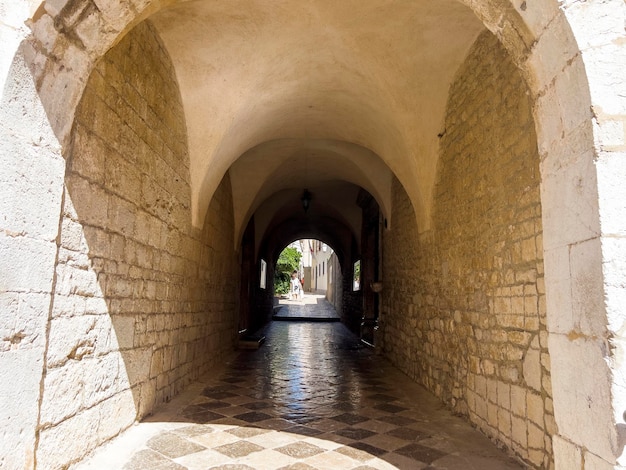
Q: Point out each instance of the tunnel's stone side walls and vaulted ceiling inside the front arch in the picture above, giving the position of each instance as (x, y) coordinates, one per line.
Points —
(194, 141)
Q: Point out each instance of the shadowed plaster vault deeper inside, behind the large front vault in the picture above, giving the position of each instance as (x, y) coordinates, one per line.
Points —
(283, 168)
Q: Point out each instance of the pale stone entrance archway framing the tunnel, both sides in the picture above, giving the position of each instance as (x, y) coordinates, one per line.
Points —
(579, 142)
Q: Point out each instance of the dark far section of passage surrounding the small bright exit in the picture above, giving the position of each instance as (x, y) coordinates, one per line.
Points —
(341, 214)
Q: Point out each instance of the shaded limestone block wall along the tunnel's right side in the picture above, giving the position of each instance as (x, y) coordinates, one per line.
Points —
(472, 288)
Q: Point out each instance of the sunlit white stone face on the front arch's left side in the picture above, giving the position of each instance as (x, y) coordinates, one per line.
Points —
(31, 188)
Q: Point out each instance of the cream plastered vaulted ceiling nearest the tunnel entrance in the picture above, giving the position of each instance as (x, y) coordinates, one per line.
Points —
(351, 90)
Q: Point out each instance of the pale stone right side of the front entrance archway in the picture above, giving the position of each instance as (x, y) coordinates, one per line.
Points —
(569, 99)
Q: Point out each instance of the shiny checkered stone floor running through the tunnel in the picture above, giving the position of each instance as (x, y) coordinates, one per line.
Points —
(311, 397)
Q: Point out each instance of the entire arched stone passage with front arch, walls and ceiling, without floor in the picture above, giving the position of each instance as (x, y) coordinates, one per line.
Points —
(156, 151)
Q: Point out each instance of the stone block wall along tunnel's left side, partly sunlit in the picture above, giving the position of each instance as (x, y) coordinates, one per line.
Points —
(143, 303)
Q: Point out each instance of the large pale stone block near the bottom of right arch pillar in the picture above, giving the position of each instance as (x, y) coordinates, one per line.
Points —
(582, 401)
